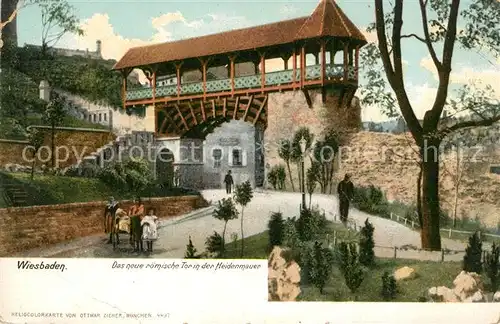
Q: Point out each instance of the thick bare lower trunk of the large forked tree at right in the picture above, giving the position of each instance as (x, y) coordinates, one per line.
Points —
(430, 235)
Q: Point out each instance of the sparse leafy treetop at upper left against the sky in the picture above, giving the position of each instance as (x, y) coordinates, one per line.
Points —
(58, 19)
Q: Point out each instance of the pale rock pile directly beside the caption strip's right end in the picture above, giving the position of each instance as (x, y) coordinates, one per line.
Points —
(283, 277)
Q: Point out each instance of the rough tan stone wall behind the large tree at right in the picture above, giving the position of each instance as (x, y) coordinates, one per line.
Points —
(388, 161)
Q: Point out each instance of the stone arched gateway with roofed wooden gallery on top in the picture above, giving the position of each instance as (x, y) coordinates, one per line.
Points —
(199, 84)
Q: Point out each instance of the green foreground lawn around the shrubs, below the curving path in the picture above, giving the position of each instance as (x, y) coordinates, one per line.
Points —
(429, 274)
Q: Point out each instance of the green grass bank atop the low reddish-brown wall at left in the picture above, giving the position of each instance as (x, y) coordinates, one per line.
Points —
(51, 189)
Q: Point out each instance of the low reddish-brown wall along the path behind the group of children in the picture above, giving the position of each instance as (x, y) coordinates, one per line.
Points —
(24, 228)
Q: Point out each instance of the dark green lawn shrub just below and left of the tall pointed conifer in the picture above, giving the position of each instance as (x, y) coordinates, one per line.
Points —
(350, 267)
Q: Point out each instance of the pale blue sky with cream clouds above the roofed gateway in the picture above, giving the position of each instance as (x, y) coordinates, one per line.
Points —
(122, 24)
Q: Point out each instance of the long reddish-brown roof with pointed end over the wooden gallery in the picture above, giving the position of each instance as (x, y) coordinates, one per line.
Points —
(327, 20)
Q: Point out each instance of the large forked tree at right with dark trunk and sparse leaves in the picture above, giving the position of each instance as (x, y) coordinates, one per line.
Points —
(443, 26)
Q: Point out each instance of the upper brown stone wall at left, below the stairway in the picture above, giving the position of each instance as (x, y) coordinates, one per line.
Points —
(78, 141)
